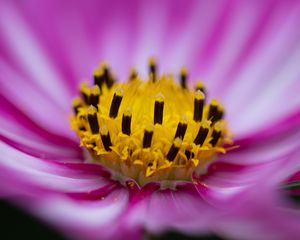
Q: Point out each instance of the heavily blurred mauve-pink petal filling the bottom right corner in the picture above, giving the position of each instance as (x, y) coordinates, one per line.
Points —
(260, 214)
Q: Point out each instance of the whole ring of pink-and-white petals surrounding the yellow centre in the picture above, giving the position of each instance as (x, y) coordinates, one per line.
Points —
(247, 54)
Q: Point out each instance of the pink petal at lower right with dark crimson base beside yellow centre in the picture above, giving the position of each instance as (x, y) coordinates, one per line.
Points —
(225, 181)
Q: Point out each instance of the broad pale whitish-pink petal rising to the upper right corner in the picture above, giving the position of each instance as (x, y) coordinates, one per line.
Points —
(265, 83)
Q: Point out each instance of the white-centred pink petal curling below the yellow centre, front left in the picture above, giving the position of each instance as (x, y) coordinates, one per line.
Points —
(83, 219)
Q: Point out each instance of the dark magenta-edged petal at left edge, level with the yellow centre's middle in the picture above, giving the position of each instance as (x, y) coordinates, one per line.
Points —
(21, 132)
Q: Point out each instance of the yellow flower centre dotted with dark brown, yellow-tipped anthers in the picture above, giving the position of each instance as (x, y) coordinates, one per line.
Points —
(149, 130)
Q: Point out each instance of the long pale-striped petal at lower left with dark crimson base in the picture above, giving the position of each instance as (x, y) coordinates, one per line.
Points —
(80, 180)
